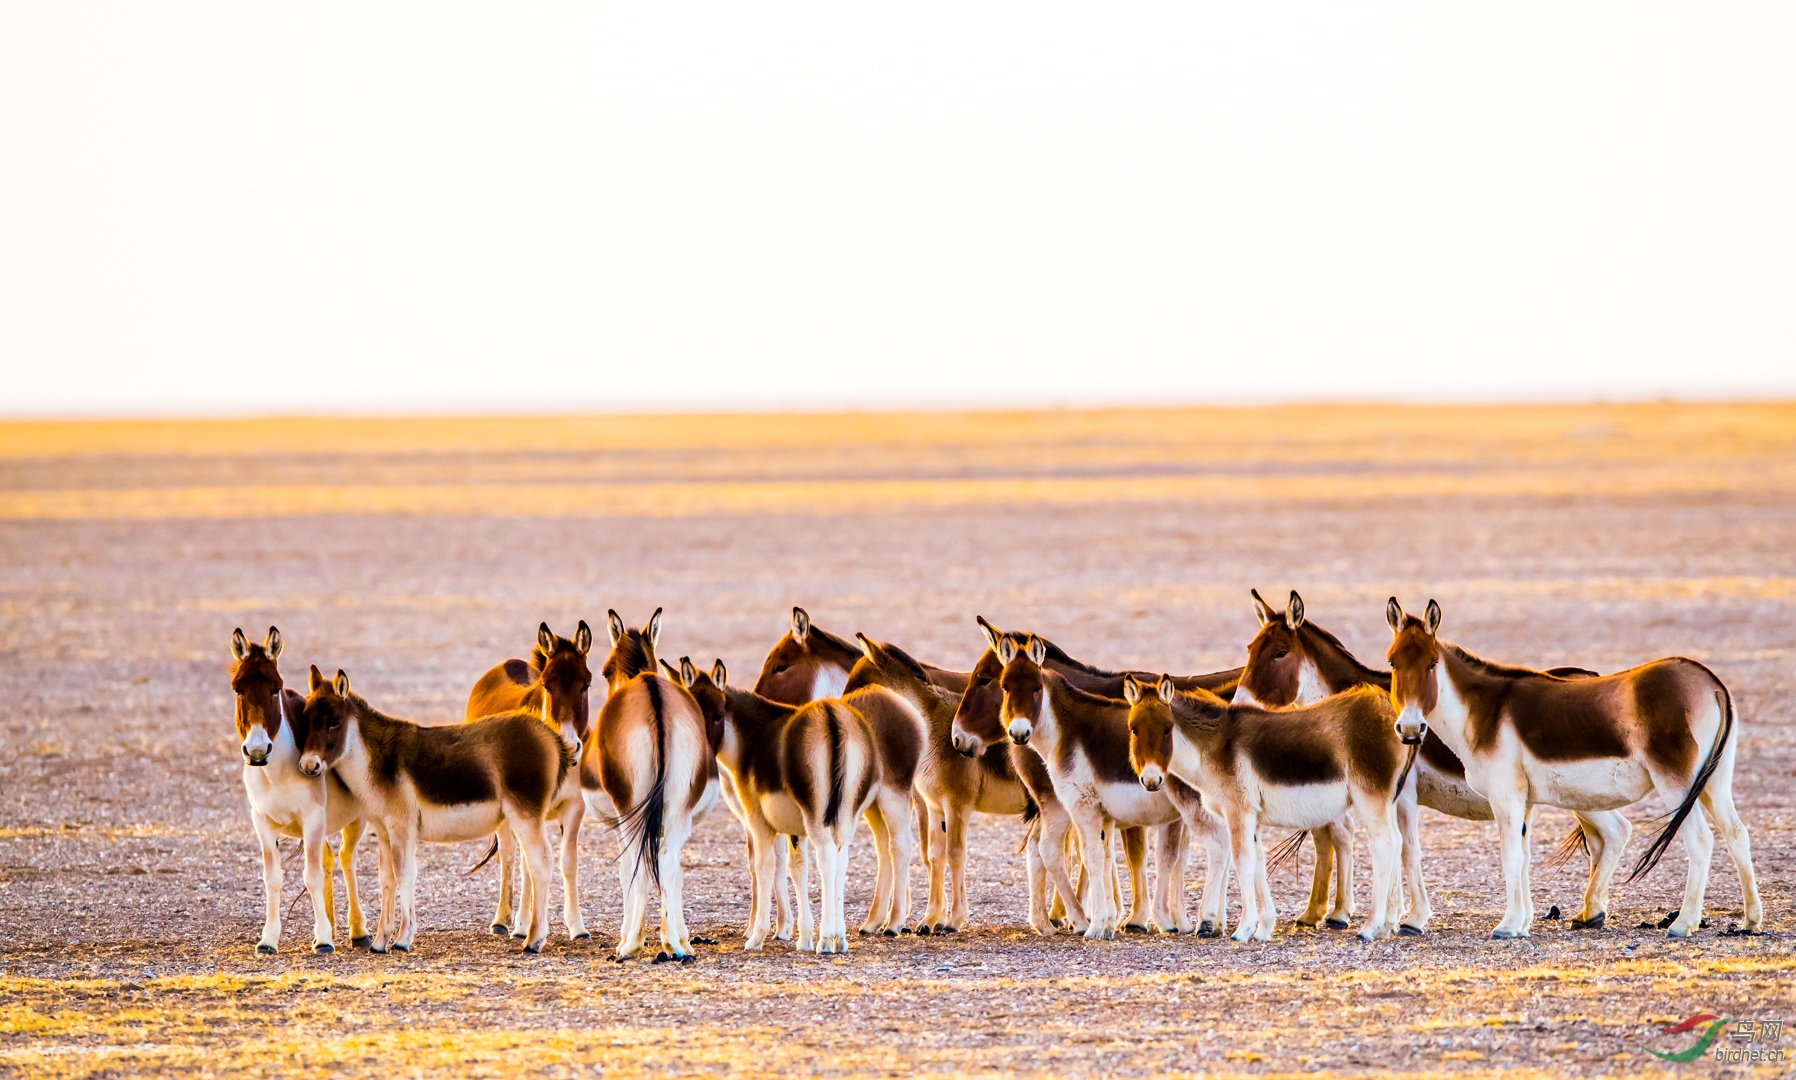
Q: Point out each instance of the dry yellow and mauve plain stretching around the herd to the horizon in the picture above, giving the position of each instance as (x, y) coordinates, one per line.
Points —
(416, 554)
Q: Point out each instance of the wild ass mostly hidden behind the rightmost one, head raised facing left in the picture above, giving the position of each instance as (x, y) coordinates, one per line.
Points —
(1296, 662)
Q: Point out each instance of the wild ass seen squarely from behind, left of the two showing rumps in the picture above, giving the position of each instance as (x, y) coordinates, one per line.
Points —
(651, 761)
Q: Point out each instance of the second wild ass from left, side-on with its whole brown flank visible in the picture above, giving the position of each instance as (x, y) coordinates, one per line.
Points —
(445, 784)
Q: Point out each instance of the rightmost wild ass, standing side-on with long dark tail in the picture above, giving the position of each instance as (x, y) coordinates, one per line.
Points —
(1585, 745)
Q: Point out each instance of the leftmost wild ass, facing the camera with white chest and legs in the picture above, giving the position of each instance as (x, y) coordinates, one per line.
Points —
(288, 802)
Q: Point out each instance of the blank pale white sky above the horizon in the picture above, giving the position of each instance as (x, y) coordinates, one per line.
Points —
(445, 208)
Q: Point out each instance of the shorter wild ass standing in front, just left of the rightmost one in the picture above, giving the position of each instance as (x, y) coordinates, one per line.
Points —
(1296, 768)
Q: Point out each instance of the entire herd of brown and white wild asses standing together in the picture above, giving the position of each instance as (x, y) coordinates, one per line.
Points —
(1305, 738)
